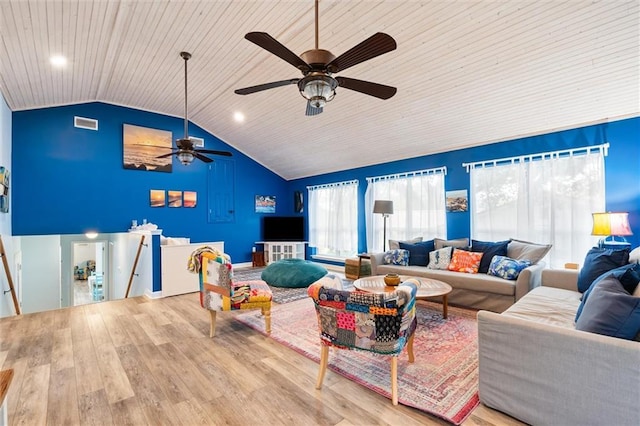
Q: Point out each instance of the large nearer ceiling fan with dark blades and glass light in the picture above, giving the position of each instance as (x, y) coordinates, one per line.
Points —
(317, 66)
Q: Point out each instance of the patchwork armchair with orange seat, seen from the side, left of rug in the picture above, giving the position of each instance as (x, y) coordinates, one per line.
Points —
(218, 291)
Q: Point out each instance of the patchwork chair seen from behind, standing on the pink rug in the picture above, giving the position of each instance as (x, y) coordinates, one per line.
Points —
(379, 323)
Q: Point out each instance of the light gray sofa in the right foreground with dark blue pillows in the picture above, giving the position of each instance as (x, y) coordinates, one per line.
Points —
(535, 366)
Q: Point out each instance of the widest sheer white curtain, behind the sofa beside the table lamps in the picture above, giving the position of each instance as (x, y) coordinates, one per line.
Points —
(545, 199)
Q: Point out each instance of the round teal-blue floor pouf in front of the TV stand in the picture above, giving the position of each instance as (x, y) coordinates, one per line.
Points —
(293, 273)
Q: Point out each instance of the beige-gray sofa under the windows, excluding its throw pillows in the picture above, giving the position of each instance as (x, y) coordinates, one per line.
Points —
(477, 291)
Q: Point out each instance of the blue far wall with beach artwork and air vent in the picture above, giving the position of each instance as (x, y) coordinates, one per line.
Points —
(67, 180)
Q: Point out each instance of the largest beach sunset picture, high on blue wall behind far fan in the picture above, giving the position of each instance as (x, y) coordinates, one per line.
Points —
(141, 147)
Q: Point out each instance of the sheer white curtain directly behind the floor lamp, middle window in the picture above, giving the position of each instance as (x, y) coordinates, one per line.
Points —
(418, 207)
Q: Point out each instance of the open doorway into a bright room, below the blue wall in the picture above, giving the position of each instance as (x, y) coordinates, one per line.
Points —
(89, 263)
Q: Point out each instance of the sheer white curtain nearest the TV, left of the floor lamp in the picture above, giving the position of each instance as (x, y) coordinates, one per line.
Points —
(333, 219)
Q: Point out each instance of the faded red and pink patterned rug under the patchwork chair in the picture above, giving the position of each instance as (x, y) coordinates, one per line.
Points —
(442, 381)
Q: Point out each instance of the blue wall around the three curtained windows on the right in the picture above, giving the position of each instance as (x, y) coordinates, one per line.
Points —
(622, 168)
